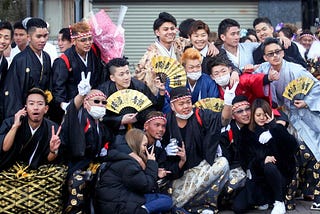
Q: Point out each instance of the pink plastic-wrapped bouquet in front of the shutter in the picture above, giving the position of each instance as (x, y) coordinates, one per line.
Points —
(109, 37)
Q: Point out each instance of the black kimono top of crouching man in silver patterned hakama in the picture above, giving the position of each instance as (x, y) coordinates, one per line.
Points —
(201, 138)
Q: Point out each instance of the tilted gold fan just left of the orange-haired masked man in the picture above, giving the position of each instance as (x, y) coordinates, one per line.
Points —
(169, 69)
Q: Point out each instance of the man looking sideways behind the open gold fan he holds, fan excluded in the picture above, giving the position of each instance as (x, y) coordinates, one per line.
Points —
(120, 78)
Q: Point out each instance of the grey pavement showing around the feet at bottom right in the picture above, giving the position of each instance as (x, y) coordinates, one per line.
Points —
(302, 207)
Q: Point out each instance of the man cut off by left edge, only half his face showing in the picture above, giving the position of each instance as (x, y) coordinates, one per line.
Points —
(6, 33)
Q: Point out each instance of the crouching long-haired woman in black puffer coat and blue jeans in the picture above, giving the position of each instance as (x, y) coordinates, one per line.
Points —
(126, 182)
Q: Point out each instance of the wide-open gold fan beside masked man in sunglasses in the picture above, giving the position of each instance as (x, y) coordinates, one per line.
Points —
(127, 101)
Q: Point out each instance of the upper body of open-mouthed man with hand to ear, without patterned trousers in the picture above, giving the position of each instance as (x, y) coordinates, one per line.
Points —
(28, 136)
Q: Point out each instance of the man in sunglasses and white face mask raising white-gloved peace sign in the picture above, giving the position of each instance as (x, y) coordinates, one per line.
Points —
(85, 137)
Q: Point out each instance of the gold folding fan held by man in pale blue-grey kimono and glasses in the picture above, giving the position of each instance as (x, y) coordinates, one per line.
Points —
(298, 88)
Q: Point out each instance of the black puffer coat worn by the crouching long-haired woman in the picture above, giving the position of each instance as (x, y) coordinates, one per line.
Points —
(122, 184)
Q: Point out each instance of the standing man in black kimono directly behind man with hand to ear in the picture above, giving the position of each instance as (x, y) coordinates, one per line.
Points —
(30, 68)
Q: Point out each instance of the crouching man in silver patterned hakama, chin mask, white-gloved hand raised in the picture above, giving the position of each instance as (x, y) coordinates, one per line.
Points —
(198, 131)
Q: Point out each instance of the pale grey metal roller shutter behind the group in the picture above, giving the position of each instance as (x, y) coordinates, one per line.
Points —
(139, 19)
